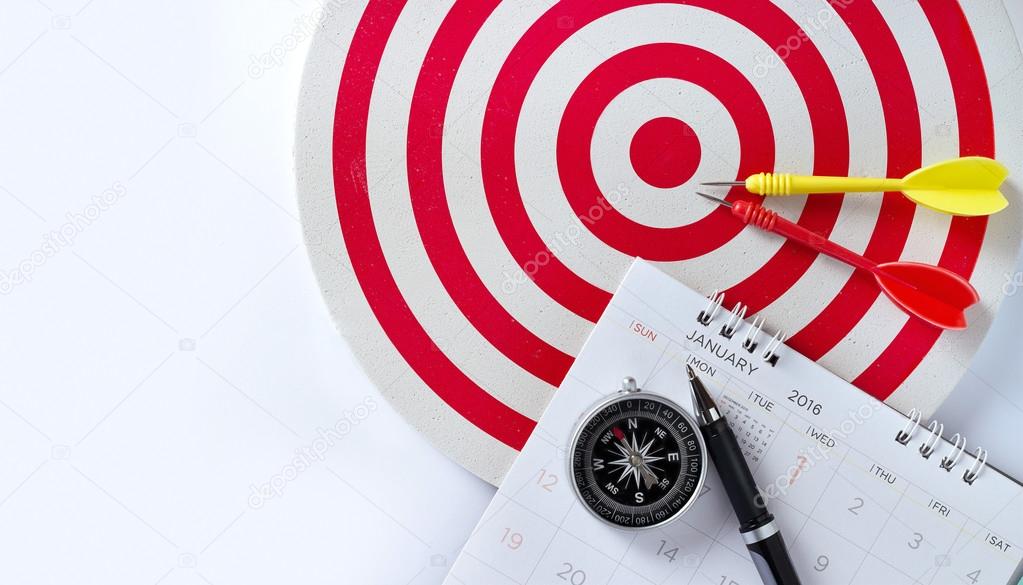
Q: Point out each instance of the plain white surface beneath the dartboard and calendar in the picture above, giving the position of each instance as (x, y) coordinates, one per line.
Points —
(172, 351)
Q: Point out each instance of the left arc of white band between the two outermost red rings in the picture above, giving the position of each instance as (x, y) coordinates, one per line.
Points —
(399, 235)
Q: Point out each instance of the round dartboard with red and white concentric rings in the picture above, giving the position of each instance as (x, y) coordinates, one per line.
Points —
(477, 176)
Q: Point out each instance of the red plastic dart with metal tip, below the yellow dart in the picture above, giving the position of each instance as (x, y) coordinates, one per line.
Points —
(938, 296)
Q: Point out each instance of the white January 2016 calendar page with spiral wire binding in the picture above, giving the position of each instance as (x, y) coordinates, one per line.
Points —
(856, 506)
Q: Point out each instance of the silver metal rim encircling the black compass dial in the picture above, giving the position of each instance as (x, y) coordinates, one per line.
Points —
(639, 394)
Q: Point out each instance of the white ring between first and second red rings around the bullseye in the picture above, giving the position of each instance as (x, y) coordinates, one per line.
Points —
(584, 53)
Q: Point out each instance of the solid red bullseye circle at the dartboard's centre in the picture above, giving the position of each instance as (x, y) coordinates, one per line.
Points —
(665, 153)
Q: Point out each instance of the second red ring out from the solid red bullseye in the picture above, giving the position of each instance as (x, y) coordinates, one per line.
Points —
(501, 124)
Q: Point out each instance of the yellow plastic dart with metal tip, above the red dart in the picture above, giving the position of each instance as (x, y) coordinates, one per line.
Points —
(967, 187)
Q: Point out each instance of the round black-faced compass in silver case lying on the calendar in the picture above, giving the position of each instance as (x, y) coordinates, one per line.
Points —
(639, 461)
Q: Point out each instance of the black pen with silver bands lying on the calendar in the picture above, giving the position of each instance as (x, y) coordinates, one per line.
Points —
(757, 525)
